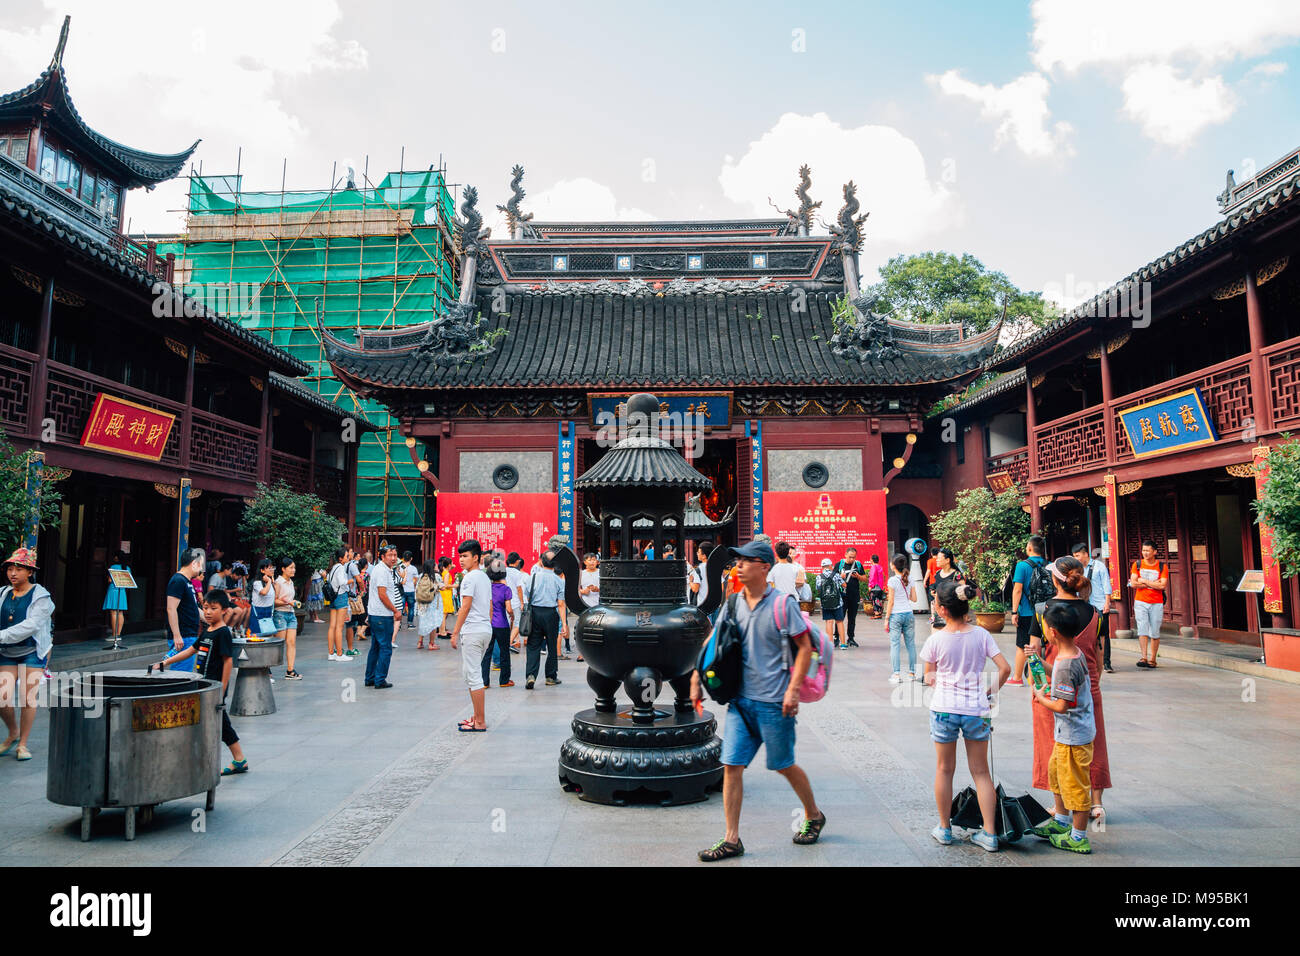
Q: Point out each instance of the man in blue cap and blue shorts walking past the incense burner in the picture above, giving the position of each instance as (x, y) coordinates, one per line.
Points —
(764, 712)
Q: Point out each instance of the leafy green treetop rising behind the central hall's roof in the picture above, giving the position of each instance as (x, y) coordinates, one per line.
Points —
(944, 288)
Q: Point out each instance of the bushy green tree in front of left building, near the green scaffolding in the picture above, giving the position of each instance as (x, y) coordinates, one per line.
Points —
(283, 524)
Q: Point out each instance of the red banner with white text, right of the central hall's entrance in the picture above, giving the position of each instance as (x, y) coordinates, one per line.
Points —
(824, 524)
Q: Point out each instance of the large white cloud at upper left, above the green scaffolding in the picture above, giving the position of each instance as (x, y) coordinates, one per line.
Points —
(211, 73)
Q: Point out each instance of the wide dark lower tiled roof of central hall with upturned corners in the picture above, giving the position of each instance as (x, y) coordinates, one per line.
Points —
(653, 341)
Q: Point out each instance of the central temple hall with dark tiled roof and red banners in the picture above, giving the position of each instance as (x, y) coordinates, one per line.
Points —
(809, 405)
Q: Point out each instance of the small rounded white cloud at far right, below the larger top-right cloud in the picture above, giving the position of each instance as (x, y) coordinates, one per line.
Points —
(1173, 110)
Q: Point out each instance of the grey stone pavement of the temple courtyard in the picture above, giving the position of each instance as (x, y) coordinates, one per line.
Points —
(1204, 763)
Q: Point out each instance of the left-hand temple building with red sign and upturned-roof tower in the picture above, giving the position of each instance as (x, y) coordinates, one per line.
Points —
(154, 416)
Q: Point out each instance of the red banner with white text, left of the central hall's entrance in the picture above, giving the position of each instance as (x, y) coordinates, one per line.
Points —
(512, 522)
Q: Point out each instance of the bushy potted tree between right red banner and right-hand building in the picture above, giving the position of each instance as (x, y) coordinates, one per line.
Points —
(983, 531)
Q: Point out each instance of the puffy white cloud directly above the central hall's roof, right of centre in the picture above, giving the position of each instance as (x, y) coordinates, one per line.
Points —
(907, 207)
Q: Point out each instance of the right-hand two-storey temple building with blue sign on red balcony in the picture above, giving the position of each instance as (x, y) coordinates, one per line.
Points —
(1145, 413)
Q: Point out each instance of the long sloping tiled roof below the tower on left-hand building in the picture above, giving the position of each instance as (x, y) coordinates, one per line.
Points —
(25, 211)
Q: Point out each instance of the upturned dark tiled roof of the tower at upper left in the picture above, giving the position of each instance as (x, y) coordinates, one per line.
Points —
(135, 167)
